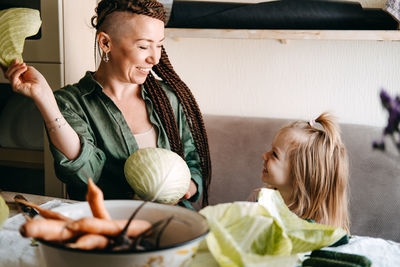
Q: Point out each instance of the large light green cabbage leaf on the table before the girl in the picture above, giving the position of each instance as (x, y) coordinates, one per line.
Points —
(263, 233)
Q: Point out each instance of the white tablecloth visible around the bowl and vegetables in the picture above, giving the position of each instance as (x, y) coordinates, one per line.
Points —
(16, 251)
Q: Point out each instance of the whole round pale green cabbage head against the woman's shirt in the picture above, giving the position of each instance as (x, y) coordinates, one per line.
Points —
(157, 174)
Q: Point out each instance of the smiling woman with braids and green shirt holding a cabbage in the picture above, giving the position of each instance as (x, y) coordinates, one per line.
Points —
(94, 125)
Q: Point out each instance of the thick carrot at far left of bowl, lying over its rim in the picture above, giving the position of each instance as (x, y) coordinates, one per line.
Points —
(47, 229)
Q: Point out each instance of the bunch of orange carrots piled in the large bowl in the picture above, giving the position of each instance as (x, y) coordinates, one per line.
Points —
(85, 233)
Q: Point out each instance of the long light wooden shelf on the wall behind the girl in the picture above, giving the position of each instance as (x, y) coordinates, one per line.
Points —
(372, 35)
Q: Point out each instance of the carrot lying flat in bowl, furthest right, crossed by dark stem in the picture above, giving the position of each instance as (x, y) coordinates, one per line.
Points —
(108, 227)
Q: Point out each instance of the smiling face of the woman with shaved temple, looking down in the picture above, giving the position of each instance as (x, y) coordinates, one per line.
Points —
(135, 46)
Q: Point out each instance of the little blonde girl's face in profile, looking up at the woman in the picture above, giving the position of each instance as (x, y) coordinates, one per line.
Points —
(276, 171)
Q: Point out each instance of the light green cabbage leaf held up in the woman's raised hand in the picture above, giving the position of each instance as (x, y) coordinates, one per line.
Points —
(15, 25)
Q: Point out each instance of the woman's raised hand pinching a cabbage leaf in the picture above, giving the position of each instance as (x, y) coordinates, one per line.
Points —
(26, 80)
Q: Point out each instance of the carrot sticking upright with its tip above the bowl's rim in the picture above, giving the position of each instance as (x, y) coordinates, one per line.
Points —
(95, 198)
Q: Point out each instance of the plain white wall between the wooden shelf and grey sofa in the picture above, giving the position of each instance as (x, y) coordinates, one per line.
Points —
(301, 79)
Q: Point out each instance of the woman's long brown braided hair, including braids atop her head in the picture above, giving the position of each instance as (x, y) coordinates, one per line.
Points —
(167, 73)
